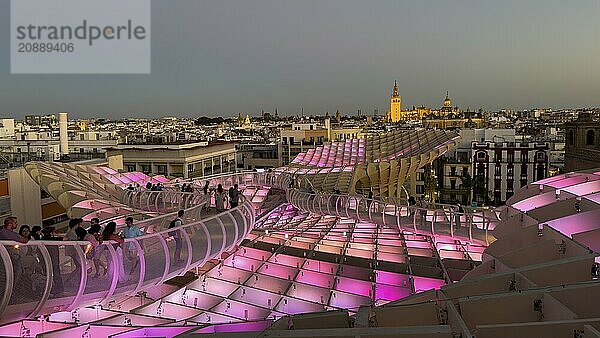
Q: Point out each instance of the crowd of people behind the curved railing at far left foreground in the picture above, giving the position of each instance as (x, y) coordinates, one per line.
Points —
(27, 261)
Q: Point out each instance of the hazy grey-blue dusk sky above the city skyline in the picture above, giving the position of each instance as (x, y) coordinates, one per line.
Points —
(219, 58)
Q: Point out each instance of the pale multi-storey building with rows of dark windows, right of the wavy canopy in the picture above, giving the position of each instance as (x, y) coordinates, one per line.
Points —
(489, 165)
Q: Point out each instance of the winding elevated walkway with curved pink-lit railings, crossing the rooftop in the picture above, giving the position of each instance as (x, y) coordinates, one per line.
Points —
(42, 277)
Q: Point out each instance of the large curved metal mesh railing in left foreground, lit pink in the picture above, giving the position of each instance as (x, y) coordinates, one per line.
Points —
(42, 277)
